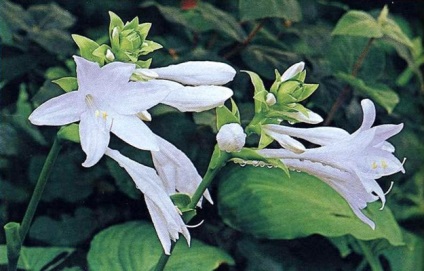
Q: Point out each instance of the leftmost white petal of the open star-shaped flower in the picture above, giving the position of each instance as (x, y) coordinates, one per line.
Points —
(61, 110)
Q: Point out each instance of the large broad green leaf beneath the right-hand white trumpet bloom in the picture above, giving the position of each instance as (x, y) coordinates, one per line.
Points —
(268, 204)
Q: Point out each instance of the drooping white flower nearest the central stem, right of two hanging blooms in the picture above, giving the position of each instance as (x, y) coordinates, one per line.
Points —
(176, 171)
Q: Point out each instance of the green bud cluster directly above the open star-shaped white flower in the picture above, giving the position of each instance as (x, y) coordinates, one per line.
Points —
(127, 43)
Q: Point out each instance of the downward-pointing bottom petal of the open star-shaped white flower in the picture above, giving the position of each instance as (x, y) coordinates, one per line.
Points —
(94, 138)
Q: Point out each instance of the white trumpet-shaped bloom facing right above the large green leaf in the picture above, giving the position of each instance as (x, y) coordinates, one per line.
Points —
(350, 163)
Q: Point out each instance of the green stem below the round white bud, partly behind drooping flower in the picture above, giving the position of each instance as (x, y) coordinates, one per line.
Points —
(218, 160)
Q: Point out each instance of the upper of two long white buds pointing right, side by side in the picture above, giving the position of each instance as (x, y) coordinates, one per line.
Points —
(198, 73)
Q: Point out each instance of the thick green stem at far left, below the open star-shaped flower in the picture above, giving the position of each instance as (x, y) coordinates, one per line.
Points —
(14, 251)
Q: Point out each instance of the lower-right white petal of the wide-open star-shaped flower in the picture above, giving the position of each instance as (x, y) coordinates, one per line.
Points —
(134, 131)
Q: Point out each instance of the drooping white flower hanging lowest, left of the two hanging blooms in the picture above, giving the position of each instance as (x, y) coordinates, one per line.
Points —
(165, 216)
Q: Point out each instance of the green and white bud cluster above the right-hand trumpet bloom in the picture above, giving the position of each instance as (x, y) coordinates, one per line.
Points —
(282, 101)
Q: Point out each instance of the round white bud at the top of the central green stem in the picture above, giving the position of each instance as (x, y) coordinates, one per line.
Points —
(231, 137)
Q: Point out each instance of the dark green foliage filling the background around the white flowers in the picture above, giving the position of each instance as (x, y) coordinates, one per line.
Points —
(80, 206)
